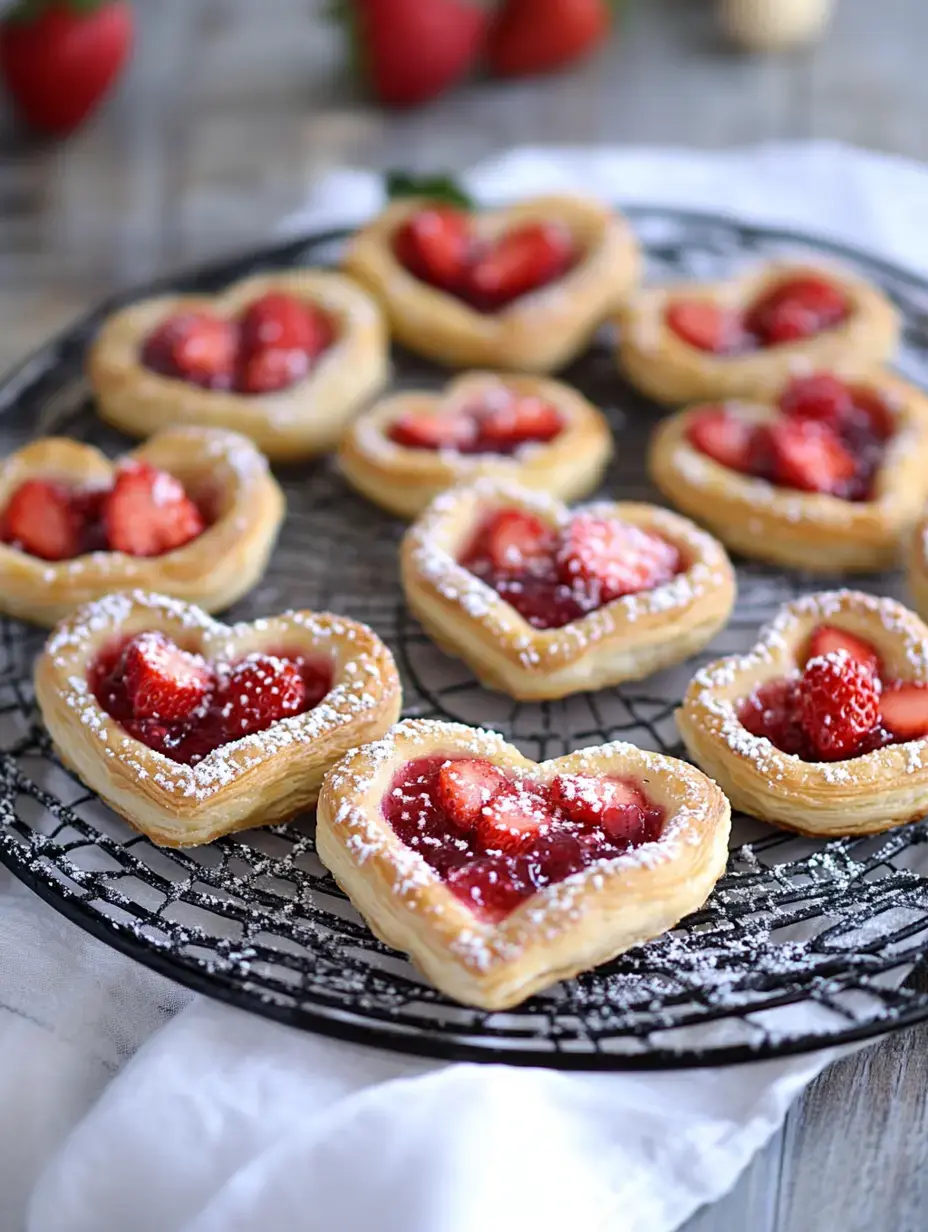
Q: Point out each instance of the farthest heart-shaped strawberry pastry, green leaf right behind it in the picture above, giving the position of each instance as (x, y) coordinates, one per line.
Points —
(523, 289)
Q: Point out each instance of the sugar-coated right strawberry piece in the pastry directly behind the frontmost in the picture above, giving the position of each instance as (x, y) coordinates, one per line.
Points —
(612, 559)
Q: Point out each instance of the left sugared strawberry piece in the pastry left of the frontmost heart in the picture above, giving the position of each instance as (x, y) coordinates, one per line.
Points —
(162, 681)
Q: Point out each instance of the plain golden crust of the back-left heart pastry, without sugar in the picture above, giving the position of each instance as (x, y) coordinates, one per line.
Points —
(309, 418)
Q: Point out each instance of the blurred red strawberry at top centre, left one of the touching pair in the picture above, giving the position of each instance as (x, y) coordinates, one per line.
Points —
(412, 51)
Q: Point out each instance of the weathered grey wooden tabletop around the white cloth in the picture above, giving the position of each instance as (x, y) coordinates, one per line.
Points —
(230, 113)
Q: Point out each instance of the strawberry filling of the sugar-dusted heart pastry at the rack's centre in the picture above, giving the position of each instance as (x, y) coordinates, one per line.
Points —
(556, 577)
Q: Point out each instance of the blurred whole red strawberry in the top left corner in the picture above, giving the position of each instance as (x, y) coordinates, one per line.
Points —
(60, 59)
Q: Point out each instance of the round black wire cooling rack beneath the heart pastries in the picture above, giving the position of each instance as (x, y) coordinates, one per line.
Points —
(802, 946)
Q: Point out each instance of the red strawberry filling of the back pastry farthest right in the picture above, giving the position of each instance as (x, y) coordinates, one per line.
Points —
(796, 310)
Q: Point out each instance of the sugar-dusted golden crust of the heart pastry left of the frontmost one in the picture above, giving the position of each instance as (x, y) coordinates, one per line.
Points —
(258, 780)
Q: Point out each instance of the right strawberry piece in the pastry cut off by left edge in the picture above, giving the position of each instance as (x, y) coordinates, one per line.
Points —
(149, 513)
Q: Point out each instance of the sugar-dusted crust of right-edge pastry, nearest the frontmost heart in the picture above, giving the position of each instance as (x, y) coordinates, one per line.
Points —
(861, 796)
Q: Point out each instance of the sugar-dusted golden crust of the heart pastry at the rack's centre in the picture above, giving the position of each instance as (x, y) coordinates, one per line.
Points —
(625, 640)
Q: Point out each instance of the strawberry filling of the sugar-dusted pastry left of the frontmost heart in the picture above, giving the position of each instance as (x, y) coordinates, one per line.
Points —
(181, 705)
